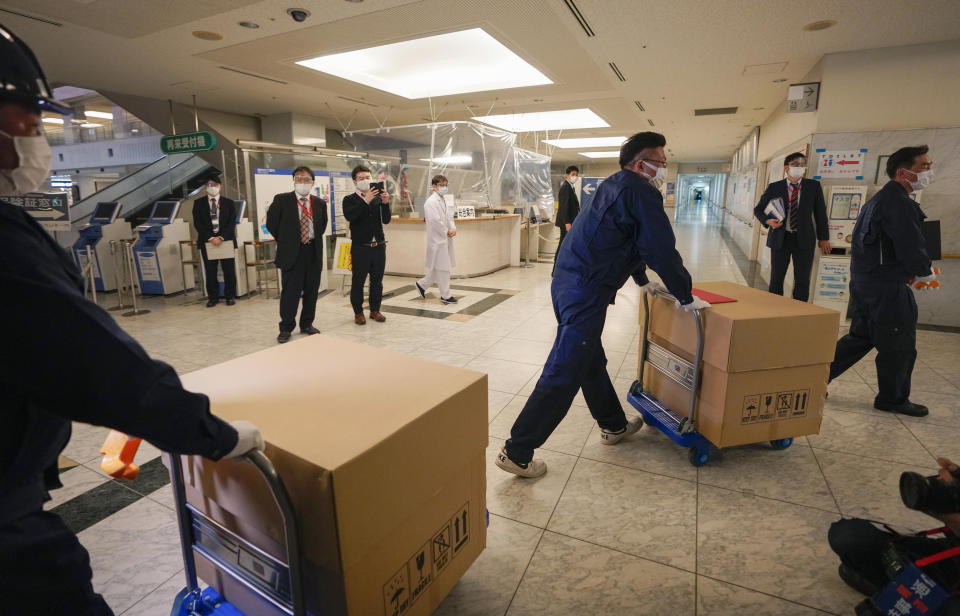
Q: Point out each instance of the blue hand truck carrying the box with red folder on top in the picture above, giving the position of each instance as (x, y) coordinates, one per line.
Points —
(680, 430)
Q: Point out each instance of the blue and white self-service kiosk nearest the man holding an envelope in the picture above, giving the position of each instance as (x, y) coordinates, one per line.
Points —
(157, 251)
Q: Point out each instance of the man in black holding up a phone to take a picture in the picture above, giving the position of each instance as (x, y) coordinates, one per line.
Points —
(367, 210)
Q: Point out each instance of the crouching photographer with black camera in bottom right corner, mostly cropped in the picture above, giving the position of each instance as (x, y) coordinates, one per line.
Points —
(871, 557)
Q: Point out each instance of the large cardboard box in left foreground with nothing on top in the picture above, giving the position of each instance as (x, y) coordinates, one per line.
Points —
(383, 455)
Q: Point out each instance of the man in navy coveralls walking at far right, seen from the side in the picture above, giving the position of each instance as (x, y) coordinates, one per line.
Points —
(888, 253)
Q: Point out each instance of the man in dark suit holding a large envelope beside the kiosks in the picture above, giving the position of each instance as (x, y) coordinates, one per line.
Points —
(215, 219)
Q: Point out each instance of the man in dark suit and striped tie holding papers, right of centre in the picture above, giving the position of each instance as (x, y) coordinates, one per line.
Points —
(797, 204)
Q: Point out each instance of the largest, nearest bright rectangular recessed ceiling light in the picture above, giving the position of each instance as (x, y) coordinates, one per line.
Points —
(452, 63)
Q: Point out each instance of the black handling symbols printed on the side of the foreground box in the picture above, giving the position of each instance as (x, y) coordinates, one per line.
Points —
(428, 562)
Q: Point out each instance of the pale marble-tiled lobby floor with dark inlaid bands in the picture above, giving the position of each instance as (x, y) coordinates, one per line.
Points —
(631, 529)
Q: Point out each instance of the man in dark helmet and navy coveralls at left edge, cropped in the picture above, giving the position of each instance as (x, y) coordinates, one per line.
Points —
(65, 358)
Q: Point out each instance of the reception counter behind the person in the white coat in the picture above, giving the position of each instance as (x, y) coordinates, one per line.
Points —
(483, 245)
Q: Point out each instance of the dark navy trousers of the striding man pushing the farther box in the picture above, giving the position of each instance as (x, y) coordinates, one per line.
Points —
(577, 361)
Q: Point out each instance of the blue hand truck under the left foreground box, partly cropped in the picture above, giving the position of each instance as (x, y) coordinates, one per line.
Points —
(277, 585)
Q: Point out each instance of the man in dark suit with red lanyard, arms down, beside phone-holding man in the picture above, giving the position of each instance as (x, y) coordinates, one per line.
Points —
(296, 220)
